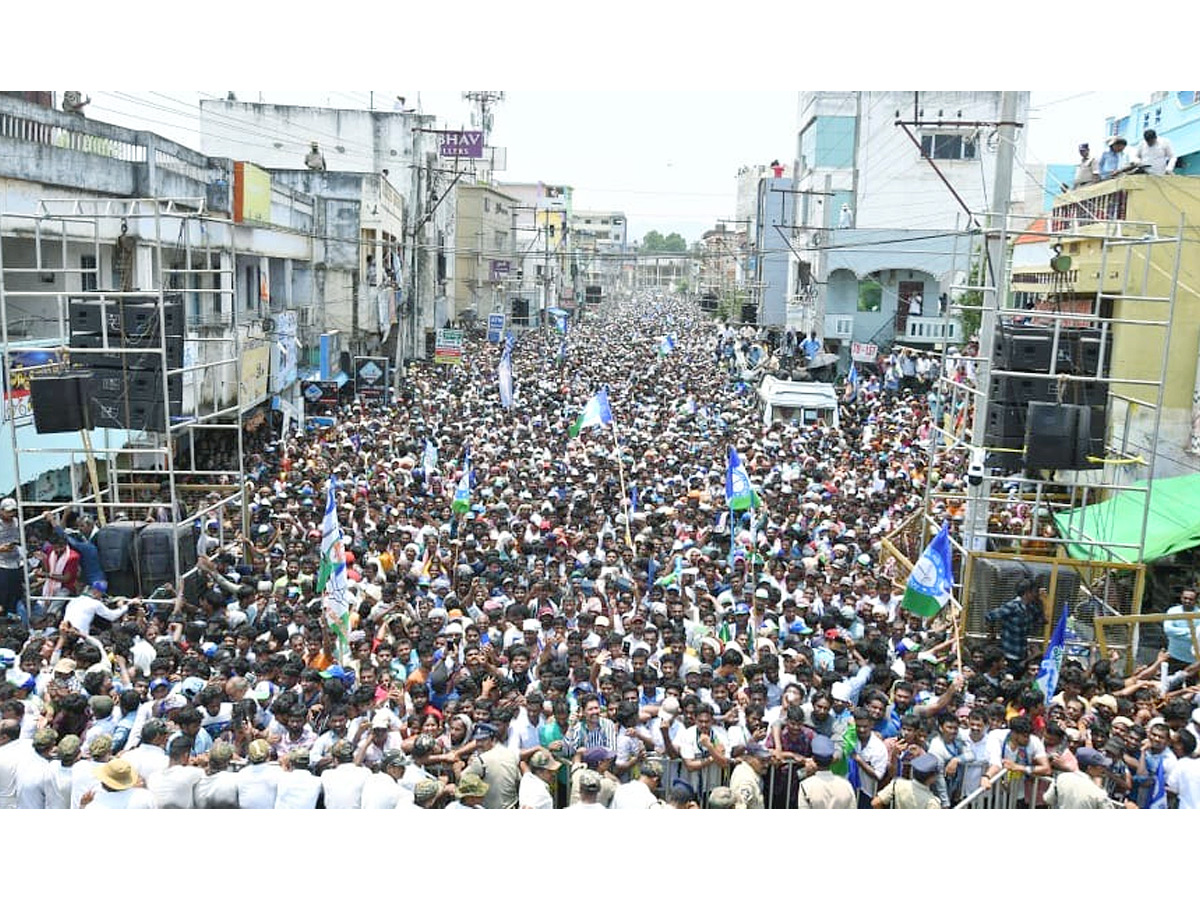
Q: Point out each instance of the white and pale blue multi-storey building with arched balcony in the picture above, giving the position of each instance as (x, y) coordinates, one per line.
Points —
(877, 226)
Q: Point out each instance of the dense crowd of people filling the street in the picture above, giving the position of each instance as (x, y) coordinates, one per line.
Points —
(592, 628)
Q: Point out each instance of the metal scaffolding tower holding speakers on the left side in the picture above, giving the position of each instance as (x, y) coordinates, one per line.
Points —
(172, 263)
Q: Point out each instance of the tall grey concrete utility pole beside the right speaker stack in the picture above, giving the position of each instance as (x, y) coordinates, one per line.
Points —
(998, 256)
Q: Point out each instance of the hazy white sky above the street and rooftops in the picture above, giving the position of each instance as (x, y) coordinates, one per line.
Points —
(667, 159)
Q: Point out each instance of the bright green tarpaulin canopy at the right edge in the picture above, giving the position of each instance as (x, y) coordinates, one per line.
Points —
(1174, 521)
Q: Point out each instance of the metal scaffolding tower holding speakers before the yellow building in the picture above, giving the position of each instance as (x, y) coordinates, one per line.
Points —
(1121, 304)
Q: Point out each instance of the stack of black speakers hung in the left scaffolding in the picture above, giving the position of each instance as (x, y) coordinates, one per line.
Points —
(123, 389)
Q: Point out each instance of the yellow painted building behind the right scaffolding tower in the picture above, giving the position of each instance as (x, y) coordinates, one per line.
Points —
(1125, 261)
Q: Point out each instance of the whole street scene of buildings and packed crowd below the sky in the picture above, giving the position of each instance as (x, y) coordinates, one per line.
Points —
(919, 415)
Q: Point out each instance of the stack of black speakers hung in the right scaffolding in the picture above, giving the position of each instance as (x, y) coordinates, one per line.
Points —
(1061, 425)
